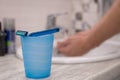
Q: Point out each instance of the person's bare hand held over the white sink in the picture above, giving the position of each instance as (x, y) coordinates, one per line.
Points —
(76, 45)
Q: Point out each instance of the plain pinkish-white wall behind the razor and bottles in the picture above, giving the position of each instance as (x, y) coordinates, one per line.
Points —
(32, 13)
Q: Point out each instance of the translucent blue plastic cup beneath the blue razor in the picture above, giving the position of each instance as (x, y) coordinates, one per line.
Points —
(37, 55)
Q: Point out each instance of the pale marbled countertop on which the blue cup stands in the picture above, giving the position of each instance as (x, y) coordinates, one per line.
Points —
(11, 68)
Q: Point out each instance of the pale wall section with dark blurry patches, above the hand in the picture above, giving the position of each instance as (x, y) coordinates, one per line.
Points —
(88, 12)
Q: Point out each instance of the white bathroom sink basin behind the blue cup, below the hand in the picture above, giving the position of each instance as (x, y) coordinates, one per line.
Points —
(106, 51)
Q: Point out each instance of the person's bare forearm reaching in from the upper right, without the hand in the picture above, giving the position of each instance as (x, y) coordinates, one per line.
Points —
(108, 26)
